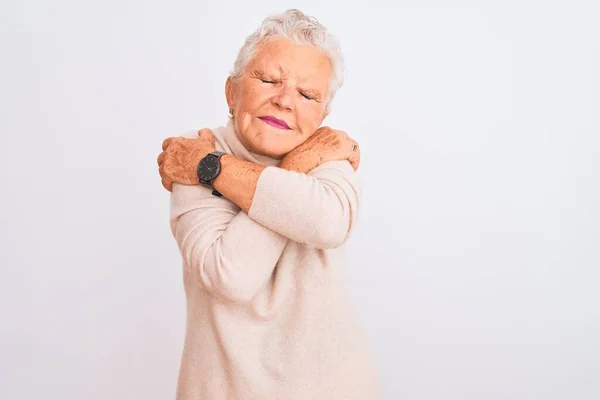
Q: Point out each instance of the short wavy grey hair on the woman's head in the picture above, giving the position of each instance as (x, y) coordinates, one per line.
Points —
(302, 29)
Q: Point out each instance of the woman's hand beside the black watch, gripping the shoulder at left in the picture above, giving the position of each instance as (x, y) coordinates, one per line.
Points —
(180, 157)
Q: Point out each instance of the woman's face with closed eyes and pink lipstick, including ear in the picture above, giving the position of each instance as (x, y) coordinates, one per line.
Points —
(280, 99)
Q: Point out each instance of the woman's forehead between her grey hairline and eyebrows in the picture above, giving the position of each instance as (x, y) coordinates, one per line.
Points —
(302, 62)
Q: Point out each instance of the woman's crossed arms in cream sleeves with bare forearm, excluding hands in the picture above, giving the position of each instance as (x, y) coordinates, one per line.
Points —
(231, 245)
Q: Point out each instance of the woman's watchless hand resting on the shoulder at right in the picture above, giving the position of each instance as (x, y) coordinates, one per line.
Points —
(326, 144)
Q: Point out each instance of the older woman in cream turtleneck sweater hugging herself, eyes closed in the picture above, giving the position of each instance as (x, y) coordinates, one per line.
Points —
(260, 210)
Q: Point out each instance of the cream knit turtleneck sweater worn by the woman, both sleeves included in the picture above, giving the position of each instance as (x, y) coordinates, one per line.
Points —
(268, 310)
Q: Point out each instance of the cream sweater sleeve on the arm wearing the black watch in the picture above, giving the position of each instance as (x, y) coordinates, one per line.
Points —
(318, 209)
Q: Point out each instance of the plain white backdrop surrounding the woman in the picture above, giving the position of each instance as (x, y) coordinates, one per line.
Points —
(475, 264)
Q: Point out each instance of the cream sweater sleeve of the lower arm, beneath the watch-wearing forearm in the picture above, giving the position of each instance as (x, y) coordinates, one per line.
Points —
(225, 251)
